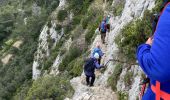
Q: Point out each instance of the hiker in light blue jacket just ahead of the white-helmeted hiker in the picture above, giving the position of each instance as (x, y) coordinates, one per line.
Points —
(98, 50)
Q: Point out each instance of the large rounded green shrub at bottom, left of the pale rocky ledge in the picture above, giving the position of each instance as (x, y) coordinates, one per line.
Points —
(50, 87)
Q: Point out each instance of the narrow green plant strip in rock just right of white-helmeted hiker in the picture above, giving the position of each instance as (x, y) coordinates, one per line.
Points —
(112, 81)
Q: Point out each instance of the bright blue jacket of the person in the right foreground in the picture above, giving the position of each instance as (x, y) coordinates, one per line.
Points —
(155, 59)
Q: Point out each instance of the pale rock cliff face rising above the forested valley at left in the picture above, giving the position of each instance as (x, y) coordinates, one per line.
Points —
(43, 47)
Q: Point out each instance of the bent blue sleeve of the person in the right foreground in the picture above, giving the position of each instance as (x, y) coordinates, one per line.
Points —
(146, 62)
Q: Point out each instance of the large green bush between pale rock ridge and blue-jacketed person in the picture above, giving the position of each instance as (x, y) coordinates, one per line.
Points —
(133, 34)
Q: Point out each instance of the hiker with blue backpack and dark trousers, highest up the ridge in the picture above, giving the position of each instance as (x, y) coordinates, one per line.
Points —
(103, 29)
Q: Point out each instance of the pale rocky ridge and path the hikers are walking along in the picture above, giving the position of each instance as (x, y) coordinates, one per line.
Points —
(133, 9)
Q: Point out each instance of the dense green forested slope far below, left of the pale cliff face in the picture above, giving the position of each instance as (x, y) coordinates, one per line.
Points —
(16, 76)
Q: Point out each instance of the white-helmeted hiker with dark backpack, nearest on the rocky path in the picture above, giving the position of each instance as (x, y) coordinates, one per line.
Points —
(89, 68)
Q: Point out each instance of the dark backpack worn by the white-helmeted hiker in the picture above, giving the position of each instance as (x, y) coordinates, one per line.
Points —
(89, 65)
